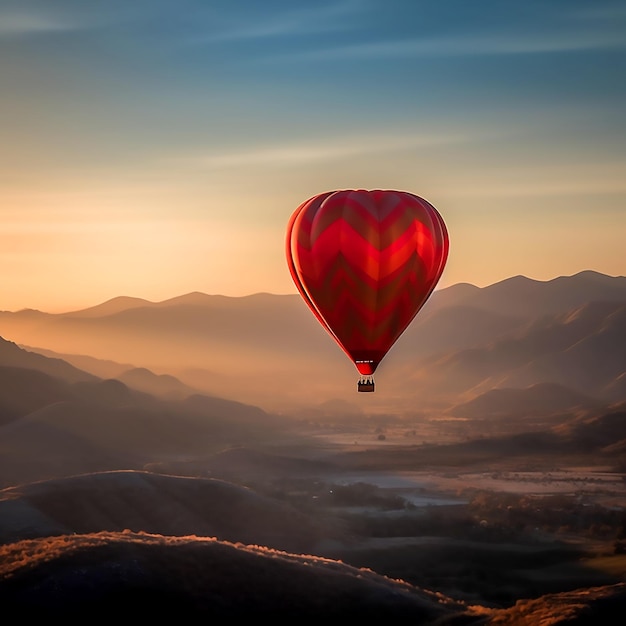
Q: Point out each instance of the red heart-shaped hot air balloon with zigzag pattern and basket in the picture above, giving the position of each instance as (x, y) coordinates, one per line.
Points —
(365, 262)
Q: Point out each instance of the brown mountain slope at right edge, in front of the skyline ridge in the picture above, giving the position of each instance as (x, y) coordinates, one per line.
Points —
(581, 349)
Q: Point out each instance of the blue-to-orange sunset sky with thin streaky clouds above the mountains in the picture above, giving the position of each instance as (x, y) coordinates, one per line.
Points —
(157, 147)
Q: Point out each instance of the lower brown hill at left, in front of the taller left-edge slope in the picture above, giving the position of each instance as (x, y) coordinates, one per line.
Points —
(109, 433)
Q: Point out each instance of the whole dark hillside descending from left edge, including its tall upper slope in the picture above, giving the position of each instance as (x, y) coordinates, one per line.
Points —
(50, 427)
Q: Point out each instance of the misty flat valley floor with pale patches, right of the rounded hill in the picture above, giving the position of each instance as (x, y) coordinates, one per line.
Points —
(491, 532)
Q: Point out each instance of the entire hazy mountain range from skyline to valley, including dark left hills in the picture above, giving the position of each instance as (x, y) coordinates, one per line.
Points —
(468, 359)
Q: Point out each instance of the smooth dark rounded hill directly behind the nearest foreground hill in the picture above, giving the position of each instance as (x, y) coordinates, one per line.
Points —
(155, 503)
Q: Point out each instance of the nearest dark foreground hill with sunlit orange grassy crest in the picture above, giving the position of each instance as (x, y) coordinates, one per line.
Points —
(192, 578)
